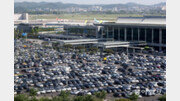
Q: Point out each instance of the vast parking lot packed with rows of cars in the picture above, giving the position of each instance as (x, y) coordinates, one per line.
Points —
(51, 72)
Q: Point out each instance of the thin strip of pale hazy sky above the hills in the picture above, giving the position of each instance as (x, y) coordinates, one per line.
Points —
(147, 2)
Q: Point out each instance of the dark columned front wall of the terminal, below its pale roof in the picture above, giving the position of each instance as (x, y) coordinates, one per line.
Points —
(154, 36)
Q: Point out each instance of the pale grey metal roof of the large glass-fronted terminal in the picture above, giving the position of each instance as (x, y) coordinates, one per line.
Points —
(149, 21)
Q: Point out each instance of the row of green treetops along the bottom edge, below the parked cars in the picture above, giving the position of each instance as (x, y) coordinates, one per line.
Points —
(66, 96)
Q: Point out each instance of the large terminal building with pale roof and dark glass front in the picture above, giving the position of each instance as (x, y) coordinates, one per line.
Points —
(150, 29)
